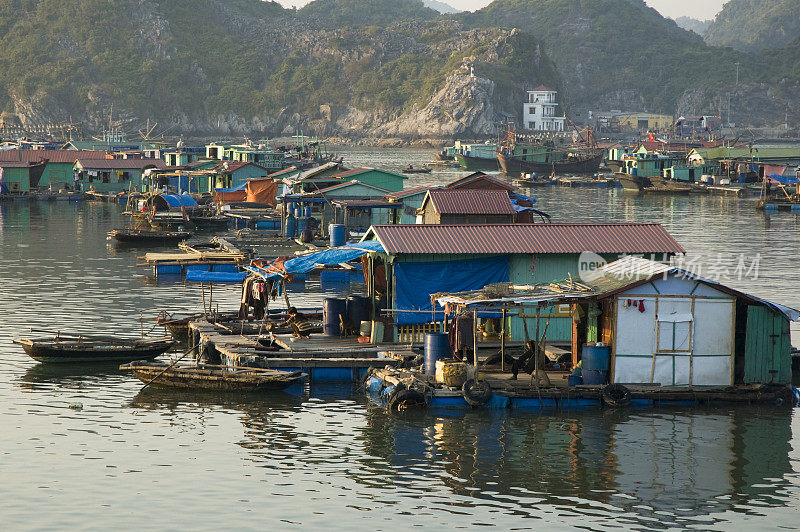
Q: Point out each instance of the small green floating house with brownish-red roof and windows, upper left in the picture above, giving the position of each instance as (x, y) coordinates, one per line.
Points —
(113, 175)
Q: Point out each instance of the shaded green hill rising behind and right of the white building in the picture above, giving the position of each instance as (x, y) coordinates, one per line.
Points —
(603, 47)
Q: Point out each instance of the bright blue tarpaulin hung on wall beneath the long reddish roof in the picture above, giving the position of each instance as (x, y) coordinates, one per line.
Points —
(416, 281)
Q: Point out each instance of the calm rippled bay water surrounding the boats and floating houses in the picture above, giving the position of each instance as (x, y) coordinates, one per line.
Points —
(166, 460)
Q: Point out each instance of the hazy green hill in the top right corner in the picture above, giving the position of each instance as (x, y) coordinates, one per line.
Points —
(754, 25)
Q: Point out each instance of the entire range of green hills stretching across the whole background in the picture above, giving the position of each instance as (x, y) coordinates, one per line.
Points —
(194, 61)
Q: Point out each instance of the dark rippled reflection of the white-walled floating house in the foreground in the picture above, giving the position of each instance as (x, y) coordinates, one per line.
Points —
(664, 466)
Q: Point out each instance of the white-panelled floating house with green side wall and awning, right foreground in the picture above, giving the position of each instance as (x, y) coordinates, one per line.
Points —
(663, 325)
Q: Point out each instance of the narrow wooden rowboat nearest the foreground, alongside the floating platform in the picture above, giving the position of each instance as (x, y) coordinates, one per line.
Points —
(213, 377)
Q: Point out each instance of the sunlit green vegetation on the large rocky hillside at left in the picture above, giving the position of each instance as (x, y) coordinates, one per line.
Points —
(200, 59)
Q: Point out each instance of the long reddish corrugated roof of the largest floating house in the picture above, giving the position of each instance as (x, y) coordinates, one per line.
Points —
(626, 238)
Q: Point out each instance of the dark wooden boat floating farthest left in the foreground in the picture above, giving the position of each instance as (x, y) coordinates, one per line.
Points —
(92, 349)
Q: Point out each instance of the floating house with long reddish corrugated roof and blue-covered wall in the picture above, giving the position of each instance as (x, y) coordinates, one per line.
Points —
(421, 260)
